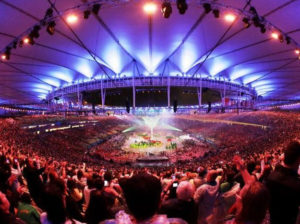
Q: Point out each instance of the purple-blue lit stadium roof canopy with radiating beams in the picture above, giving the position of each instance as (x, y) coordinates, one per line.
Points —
(123, 40)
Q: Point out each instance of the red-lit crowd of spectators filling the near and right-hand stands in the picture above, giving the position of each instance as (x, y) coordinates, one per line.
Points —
(249, 180)
